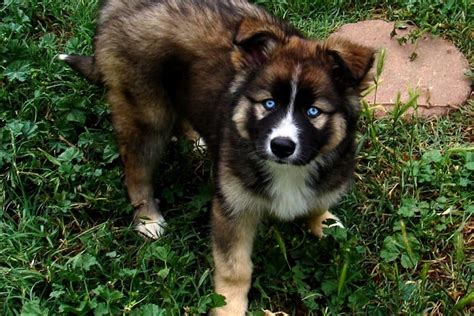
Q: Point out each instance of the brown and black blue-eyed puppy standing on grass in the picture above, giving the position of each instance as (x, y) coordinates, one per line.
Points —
(278, 113)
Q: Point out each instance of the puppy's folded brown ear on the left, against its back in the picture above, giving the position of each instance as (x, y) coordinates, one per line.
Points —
(255, 41)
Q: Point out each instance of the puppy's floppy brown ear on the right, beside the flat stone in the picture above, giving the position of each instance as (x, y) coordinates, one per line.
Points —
(350, 63)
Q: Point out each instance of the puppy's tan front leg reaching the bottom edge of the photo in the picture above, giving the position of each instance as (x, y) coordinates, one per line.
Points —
(232, 239)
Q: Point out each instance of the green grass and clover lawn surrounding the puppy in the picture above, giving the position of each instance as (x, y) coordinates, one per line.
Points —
(66, 246)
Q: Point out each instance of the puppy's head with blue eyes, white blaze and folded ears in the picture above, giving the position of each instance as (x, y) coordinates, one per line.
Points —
(297, 98)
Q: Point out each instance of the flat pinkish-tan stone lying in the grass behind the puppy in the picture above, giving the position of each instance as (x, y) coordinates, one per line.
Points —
(436, 72)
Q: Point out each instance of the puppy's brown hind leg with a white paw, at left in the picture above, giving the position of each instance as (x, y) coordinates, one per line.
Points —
(142, 131)
